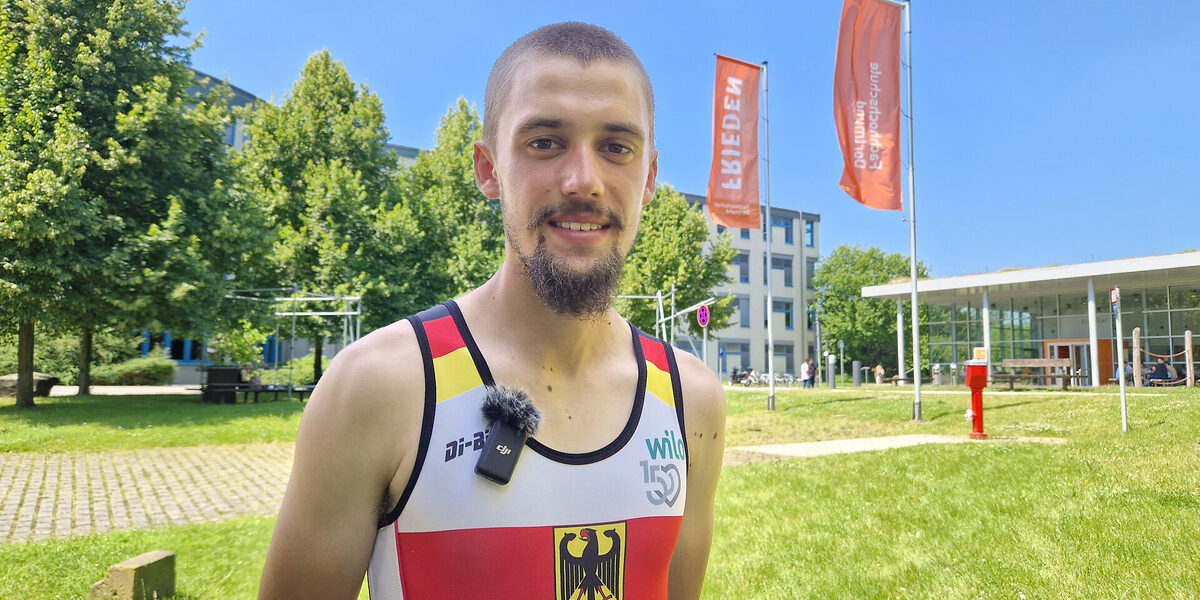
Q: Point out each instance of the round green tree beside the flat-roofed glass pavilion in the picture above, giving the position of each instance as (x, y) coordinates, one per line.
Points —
(868, 326)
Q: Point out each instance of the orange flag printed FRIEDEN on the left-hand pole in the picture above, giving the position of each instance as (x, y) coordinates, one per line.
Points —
(734, 181)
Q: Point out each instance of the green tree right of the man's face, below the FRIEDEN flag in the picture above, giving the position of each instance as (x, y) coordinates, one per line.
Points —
(674, 249)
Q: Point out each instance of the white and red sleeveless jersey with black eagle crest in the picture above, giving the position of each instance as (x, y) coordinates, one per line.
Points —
(601, 525)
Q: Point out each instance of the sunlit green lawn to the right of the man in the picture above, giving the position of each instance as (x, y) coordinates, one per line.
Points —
(1106, 515)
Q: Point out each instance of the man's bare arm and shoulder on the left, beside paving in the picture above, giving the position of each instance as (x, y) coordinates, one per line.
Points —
(358, 433)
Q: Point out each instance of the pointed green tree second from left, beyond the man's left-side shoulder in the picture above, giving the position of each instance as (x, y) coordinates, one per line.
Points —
(320, 163)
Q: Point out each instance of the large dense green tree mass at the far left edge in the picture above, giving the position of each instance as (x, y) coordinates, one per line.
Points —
(109, 170)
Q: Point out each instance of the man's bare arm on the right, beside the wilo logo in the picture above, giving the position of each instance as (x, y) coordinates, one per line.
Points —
(705, 419)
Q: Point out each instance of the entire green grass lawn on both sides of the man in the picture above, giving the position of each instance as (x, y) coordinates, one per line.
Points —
(1103, 515)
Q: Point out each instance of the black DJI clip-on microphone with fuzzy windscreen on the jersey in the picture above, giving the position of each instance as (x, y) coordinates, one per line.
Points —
(514, 419)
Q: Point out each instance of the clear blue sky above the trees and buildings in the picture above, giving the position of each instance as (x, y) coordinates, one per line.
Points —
(1047, 133)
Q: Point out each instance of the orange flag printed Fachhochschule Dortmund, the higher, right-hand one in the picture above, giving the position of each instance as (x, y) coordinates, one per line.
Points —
(867, 103)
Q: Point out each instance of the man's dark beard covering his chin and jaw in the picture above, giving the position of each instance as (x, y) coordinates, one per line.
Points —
(566, 292)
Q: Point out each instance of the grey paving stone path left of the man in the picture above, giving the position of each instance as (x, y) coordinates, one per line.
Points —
(53, 496)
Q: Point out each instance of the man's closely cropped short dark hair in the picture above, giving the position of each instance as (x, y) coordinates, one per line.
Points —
(580, 41)
